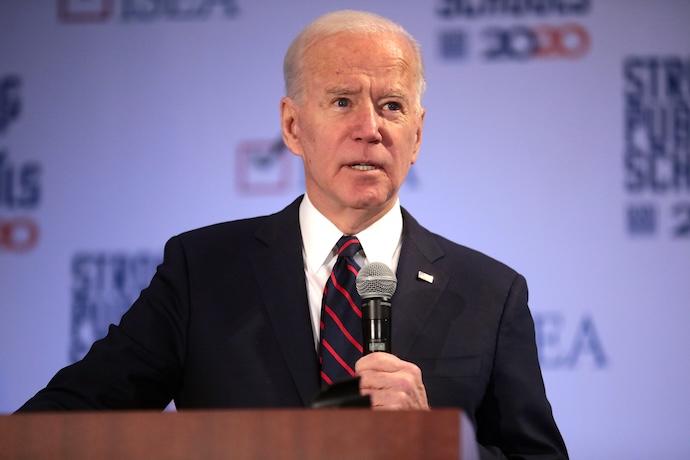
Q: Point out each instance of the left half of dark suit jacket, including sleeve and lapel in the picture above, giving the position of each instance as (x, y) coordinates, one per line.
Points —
(224, 323)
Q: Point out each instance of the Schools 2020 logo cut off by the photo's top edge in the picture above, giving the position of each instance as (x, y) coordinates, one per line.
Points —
(520, 42)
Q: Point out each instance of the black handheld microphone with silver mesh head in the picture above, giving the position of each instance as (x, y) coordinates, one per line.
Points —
(376, 284)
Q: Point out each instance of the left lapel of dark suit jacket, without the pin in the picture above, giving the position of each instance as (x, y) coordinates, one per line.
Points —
(279, 270)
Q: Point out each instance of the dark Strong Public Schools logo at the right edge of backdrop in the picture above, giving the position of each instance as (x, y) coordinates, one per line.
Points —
(657, 145)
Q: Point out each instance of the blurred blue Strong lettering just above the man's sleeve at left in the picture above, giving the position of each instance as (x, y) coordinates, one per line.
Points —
(104, 286)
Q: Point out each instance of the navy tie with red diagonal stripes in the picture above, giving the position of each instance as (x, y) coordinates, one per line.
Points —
(341, 316)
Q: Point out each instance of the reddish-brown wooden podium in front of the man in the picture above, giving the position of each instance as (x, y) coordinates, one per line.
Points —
(239, 434)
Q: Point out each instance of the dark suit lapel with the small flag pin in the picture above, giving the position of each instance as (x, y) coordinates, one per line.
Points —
(415, 297)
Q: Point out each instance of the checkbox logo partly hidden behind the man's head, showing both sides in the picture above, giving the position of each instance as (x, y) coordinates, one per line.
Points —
(267, 167)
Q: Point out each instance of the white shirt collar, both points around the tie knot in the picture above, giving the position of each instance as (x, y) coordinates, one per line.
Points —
(319, 235)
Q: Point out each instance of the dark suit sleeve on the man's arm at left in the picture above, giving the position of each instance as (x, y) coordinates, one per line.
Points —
(139, 363)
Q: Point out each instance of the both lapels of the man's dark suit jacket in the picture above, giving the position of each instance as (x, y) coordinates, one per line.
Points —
(279, 270)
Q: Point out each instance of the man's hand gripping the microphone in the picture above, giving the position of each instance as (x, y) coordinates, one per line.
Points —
(391, 382)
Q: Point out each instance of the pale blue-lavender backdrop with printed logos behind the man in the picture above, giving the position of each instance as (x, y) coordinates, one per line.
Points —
(557, 139)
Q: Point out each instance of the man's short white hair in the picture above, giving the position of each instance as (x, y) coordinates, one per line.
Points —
(348, 21)
